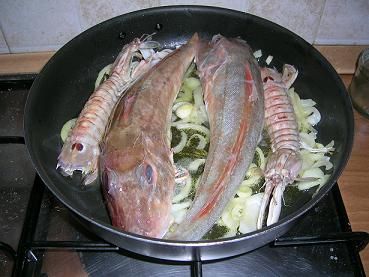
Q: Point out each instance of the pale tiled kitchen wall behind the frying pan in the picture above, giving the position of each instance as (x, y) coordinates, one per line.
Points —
(38, 25)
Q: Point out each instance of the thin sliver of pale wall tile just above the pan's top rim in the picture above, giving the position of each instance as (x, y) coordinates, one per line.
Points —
(233, 4)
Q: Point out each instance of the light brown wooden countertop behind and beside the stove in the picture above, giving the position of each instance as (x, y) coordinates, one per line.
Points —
(353, 183)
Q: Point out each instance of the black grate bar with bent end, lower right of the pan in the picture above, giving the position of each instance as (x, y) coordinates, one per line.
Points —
(358, 239)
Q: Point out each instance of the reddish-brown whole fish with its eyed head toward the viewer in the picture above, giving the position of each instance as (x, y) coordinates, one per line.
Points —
(136, 160)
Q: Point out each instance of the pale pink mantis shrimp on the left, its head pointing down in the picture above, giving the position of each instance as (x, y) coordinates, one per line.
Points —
(81, 149)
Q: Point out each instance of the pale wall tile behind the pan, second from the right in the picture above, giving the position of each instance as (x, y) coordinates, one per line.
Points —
(300, 17)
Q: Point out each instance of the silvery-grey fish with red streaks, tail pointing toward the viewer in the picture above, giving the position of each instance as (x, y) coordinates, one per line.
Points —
(234, 100)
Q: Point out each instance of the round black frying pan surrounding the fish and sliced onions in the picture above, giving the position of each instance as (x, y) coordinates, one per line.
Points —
(65, 83)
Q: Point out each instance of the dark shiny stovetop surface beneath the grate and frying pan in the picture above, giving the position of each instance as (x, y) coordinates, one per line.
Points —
(56, 223)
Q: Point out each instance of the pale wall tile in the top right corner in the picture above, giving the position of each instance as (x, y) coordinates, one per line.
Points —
(344, 22)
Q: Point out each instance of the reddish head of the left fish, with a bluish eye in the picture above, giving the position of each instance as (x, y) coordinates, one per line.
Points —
(138, 185)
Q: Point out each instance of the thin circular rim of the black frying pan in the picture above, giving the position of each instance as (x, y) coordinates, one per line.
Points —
(198, 244)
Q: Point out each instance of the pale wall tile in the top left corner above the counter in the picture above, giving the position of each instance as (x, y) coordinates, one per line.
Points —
(38, 25)
